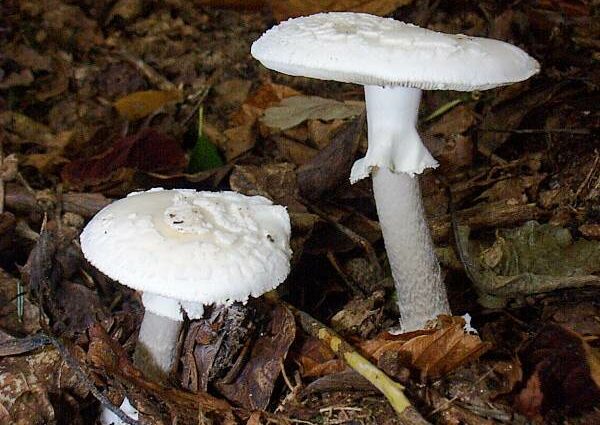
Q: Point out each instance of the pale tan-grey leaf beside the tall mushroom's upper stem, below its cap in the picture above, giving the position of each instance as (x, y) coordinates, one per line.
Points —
(292, 111)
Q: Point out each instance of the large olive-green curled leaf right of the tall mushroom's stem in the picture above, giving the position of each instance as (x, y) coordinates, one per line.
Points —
(532, 259)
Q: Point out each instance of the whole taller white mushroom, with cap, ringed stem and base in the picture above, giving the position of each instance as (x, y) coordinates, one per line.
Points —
(395, 61)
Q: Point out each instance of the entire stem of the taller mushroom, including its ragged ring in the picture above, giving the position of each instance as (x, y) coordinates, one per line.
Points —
(395, 154)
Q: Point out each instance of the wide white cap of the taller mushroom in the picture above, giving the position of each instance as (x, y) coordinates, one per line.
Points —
(370, 50)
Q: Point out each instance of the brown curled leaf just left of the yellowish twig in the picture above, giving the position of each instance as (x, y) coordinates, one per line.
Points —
(253, 386)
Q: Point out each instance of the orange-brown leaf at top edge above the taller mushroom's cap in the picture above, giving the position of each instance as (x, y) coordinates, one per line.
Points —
(283, 9)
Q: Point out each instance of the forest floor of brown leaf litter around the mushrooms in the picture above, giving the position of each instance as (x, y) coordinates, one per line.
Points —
(102, 98)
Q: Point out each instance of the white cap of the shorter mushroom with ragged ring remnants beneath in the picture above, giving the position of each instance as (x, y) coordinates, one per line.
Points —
(192, 247)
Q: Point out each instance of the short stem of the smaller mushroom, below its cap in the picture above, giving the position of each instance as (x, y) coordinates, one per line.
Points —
(156, 349)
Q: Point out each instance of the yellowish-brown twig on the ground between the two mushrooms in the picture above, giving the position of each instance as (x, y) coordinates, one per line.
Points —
(392, 390)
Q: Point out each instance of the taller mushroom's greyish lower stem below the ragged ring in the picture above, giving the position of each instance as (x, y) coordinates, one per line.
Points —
(415, 269)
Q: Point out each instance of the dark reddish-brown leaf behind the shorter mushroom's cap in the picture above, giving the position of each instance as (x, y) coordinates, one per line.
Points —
(147, 150)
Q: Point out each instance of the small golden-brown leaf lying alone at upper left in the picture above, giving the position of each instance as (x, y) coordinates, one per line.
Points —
(142, 103)
